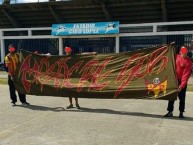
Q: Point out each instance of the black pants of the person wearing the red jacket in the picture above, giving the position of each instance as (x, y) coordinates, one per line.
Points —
(181, 97)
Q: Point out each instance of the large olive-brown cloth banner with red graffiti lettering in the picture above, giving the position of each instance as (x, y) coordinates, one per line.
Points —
(143, 74)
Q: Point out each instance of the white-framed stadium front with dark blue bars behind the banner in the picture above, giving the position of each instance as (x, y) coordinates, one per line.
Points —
(130, 38)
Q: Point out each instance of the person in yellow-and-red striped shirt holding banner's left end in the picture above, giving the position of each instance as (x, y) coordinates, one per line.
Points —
(11, 61)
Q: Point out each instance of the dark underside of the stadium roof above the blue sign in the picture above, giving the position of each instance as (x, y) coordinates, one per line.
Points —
(44, 14)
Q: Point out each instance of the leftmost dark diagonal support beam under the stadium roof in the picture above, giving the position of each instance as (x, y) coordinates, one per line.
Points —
(12, 19)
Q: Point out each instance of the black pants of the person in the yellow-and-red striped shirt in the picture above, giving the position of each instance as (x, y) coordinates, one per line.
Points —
(13, 97)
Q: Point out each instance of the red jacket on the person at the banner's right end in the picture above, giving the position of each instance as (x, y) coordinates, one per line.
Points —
(183, 69)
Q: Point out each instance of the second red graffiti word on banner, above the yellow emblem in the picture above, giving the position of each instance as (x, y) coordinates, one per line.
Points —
(140, 65)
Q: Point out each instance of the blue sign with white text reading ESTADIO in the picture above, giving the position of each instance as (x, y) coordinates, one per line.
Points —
(85, 28)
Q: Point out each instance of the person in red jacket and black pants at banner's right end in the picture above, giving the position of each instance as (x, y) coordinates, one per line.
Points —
(183, 72)
